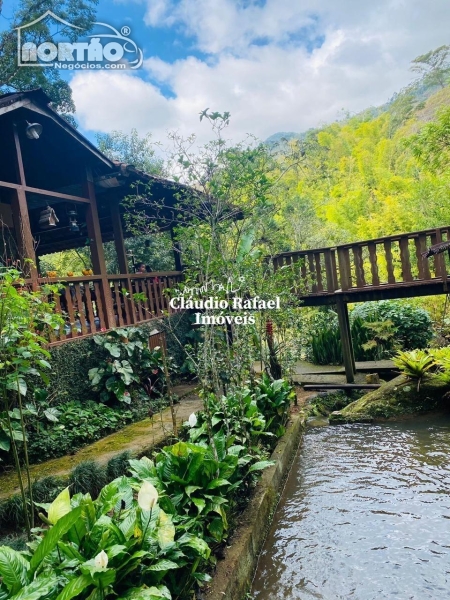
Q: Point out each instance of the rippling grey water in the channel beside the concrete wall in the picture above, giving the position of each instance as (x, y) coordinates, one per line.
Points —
(365, 515)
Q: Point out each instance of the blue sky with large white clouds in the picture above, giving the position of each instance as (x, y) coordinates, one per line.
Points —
(275, 65)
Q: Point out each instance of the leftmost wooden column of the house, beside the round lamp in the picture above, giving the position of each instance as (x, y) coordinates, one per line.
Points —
(21, 217)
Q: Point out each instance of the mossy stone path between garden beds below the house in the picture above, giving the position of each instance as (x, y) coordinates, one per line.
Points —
(137, 438)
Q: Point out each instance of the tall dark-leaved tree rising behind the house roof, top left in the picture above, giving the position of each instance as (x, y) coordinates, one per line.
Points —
(80, 13)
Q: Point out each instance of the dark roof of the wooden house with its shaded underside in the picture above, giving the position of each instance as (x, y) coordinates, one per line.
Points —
(56, 161)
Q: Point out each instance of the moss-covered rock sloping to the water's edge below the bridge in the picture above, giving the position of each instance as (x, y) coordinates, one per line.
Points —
(395, 399)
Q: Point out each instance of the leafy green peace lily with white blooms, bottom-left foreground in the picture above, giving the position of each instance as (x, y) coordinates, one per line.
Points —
(122, 544)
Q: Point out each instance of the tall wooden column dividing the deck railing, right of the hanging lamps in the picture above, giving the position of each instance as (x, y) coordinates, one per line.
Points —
(97, 254)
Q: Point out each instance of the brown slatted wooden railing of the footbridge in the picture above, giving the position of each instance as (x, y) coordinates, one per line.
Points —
(394, 260)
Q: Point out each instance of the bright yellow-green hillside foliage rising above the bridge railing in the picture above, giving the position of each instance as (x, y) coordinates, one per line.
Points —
(360, 179)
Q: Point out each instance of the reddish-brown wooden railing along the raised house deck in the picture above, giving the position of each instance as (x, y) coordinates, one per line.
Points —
(135, 298)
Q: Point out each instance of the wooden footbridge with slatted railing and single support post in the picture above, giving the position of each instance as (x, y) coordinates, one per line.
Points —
(379, 269)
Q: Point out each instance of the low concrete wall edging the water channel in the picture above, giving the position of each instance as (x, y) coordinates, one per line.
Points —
(234, 574)
